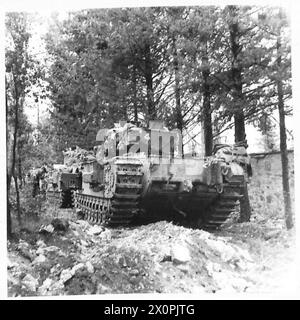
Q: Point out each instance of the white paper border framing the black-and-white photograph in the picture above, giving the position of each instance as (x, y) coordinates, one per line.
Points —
(57, 5)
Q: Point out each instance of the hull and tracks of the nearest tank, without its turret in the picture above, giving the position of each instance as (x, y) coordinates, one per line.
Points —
(141, 188)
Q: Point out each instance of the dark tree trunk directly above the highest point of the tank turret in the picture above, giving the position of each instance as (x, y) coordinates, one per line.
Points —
(149, 83)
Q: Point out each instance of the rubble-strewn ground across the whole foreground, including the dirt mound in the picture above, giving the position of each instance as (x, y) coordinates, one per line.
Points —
(76, 257)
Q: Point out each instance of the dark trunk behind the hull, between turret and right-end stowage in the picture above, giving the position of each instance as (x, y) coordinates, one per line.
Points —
(207, 121)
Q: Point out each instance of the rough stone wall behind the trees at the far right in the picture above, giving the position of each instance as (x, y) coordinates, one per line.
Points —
(265, 188)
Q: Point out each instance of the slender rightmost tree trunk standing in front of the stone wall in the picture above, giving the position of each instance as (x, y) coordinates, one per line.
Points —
(283, 148)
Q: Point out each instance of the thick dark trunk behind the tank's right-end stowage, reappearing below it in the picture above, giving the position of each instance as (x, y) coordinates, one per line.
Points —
(238, 112)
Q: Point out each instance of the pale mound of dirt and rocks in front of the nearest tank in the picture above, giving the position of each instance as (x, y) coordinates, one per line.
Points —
(156, 258)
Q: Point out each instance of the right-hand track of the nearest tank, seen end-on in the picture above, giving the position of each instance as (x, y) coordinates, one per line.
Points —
(222, 207)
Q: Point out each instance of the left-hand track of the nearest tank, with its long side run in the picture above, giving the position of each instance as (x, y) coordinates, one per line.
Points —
(119, 204)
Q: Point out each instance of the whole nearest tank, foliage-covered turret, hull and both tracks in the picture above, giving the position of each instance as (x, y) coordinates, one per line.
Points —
(140, 174)
